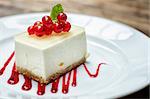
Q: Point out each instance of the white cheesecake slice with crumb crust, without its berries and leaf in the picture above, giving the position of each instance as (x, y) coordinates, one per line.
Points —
(46, 58)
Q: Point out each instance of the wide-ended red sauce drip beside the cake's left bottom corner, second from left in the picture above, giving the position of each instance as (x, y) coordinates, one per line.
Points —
(14, 78)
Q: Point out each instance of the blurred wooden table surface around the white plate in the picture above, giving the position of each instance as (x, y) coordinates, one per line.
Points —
(135, 13)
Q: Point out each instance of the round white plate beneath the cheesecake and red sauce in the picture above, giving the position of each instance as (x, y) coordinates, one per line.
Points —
(124, 49)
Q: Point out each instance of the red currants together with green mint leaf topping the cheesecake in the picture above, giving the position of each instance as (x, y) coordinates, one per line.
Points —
(46, 26)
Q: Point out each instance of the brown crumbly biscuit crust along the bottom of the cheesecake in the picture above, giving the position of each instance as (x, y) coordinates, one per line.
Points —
(52, 77)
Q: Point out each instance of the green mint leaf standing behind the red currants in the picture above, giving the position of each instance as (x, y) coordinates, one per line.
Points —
(55, 11)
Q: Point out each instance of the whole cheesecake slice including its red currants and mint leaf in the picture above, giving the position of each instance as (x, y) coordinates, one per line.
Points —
(50, 48)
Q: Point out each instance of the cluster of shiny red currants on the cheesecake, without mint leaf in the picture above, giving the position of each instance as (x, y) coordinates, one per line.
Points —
(47, 26)
